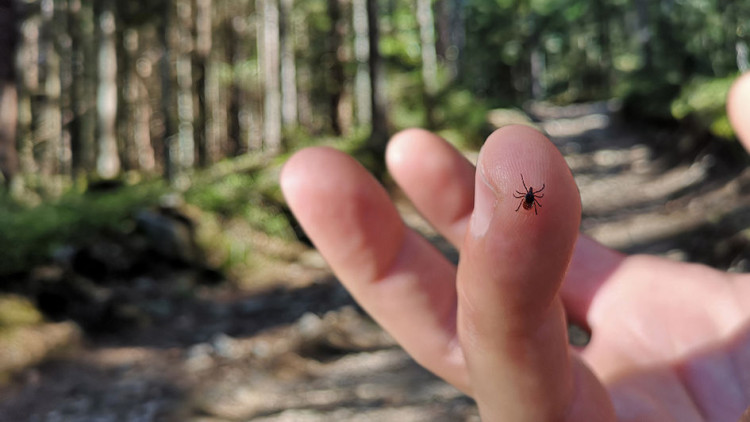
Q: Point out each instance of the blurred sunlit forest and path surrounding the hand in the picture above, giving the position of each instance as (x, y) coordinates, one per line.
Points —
(149, 267)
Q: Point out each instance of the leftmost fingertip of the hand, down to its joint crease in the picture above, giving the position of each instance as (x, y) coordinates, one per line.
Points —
(344, 210)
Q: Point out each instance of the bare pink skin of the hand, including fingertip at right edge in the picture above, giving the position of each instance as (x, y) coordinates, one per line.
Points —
(670, 341)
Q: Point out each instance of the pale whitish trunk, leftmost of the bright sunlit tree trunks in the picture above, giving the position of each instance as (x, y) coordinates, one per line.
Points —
(108, 160)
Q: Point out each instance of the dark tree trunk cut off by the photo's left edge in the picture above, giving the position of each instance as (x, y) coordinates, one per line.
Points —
(8, 92)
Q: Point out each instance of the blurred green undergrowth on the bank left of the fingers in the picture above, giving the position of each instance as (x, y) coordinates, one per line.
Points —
(244, 189)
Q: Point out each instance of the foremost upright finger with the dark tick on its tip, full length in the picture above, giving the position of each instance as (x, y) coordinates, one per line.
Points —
(511, 321)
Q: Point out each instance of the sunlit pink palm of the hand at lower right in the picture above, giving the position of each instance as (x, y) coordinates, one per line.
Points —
(671, 347)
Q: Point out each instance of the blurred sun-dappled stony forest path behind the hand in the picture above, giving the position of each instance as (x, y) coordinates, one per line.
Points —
(296, 348)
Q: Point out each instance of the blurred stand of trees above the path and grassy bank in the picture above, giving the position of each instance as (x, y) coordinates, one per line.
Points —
(97, 89)
